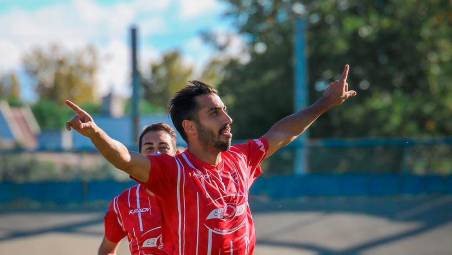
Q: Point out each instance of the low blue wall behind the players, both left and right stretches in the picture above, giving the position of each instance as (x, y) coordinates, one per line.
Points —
(277, 187)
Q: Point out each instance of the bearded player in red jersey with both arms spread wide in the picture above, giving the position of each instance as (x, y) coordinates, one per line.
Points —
(204, 190)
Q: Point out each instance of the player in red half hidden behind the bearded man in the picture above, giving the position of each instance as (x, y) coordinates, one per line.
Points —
(136, 213)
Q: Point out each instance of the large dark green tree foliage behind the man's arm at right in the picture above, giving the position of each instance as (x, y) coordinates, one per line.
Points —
(400, 55)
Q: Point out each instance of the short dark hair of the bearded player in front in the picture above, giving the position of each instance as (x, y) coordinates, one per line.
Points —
(183, 106)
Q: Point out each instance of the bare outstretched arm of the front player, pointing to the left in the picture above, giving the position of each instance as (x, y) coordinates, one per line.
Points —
(115, 152)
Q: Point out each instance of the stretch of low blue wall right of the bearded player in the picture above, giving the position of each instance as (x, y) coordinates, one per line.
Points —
(352, 185)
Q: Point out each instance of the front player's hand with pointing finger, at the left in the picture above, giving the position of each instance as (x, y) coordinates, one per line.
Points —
(82, 122)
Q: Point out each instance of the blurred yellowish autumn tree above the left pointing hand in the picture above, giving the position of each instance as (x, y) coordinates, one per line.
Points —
(61, 74)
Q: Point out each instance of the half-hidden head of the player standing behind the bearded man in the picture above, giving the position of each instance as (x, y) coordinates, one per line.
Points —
(157, 138)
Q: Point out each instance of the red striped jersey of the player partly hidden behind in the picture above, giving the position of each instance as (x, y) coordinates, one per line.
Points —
(135, 213)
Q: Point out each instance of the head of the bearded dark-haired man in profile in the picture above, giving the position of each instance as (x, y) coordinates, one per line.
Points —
(199, 115)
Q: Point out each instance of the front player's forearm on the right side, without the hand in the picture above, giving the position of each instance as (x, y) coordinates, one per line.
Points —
(289, 128)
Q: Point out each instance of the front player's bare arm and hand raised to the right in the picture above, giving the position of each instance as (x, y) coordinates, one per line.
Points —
(289, 128)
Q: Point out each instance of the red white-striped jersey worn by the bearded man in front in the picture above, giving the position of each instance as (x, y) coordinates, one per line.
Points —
(205, 208)
